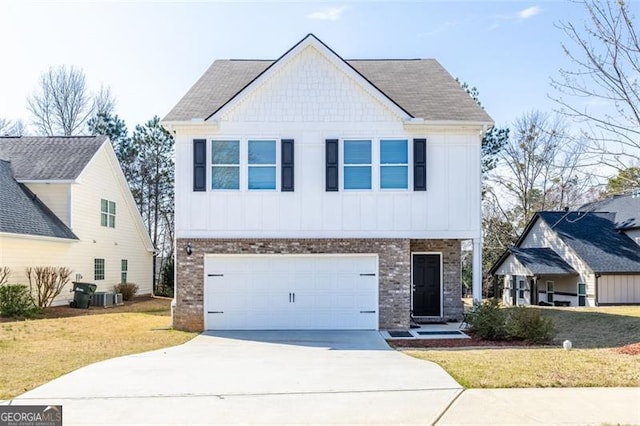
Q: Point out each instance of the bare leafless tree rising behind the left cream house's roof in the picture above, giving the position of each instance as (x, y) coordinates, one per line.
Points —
(62, 104)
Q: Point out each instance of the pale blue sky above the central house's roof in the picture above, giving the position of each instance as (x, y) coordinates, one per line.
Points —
(151, 52)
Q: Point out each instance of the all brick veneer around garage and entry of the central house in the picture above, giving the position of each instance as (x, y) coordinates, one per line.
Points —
(394, 271)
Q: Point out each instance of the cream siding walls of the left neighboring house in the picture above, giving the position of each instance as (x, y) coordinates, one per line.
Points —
(98, 181)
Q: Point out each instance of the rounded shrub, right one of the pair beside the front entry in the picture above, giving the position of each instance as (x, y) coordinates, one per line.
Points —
(529, 325)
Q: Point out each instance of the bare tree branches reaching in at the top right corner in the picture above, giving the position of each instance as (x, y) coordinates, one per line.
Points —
(602, 90)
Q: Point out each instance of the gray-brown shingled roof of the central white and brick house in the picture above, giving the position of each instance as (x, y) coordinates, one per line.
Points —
(422, 87)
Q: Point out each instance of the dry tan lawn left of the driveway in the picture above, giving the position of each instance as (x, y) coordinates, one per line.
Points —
(34, 352)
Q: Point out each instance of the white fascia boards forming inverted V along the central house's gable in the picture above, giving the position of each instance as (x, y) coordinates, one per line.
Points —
(330, 55)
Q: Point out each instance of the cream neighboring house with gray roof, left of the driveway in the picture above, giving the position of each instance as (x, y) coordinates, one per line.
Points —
(65, 202)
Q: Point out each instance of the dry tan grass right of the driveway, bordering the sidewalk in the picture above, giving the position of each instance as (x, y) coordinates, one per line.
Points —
(532, 368)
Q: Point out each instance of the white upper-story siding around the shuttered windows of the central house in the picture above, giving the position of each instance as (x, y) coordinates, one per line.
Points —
(310, 100)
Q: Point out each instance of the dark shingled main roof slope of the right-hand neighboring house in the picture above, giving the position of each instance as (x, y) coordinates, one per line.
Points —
(595, 239)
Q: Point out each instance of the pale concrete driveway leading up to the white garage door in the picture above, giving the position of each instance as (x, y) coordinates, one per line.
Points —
(256, 377)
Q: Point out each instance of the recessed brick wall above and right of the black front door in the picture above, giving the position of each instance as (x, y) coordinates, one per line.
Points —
(451, 273)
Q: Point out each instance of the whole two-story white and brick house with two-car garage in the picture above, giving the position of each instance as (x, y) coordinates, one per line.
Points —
(318, 192)
